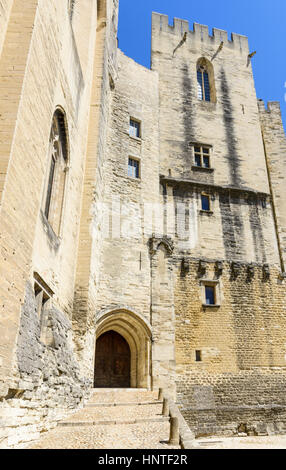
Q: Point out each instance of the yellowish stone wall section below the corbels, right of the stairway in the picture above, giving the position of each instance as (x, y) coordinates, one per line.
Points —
(240, 381)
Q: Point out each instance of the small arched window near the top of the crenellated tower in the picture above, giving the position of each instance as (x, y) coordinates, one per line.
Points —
(205, 81)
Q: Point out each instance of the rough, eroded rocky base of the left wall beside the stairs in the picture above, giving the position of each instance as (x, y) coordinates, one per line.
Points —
(50, 385)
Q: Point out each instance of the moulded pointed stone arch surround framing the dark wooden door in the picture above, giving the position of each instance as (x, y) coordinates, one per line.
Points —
(137, 332)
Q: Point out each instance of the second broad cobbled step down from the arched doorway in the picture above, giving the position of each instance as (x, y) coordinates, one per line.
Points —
(131, 413)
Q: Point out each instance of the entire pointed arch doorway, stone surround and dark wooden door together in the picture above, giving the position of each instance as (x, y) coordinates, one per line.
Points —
(129, 351)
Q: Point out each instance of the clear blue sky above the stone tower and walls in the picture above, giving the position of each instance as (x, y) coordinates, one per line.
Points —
(263, 21)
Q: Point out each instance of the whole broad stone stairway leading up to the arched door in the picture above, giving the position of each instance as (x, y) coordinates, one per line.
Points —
(112, 419)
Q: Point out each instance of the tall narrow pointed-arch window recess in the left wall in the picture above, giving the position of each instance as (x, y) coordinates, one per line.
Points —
(56, 180)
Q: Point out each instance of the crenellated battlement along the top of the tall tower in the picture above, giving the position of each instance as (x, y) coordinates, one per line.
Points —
(160, 23)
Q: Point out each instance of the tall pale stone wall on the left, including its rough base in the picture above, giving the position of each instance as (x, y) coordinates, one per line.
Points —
(39, 378)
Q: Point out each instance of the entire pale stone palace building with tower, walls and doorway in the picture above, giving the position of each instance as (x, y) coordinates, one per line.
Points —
(141, 220)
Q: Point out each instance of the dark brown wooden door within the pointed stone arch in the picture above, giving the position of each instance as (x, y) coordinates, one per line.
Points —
(112, 361)
